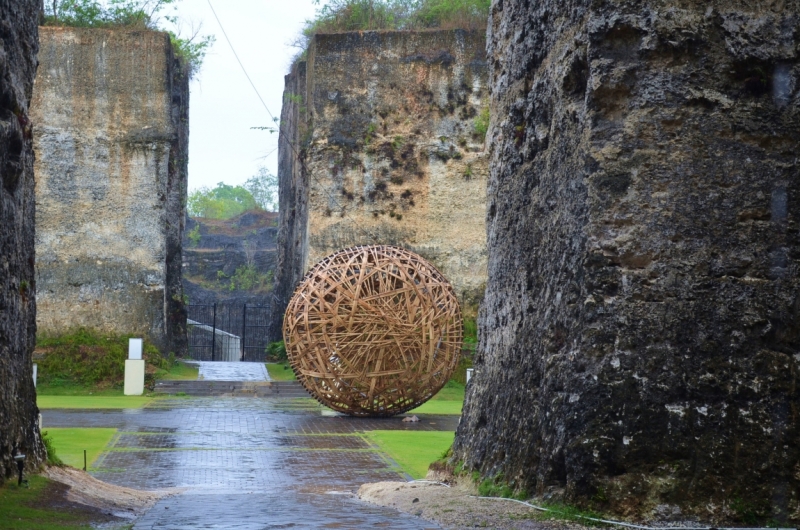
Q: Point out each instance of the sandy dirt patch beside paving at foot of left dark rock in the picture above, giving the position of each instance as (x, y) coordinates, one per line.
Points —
(115, 500)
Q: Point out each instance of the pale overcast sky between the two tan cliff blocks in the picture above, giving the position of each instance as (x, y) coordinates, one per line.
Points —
(223, 105)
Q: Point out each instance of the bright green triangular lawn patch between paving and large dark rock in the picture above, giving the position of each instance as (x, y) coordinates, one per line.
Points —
(413, 450)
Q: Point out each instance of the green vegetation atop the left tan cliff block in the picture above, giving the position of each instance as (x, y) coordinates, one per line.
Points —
(142, 14)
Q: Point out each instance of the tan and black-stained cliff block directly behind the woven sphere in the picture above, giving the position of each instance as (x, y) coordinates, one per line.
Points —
(385, 151)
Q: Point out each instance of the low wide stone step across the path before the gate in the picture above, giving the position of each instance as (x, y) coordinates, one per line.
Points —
(235, 388)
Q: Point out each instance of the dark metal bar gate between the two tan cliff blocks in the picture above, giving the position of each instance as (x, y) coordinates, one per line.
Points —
(227, 332)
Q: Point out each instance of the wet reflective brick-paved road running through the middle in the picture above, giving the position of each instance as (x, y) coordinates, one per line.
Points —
(249, 463)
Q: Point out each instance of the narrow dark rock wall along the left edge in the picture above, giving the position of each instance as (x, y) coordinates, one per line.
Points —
(18, 411)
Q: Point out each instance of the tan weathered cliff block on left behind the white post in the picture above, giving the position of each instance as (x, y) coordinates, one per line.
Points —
(111, 114)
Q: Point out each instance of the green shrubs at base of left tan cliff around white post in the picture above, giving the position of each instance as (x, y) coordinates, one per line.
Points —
(87, 358)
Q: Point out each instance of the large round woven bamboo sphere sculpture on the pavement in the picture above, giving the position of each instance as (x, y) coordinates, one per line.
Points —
(373, 331)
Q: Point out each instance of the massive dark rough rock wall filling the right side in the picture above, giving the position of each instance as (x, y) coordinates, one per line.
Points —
(640, 335)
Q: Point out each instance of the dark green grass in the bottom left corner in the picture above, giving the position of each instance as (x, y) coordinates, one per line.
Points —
(34, 508)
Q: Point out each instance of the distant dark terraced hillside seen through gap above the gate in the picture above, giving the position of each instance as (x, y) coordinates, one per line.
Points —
(230, 260)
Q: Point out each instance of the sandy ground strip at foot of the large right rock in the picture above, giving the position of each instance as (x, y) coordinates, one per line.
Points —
(456, 506)
